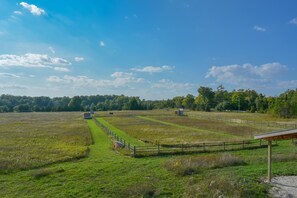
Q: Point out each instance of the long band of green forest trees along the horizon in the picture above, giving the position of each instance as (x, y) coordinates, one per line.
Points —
(284, 105)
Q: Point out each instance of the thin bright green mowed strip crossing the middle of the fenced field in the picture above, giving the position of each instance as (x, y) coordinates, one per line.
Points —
(223, 135)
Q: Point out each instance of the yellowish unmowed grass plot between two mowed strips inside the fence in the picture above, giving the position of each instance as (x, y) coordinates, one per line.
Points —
(156, 132)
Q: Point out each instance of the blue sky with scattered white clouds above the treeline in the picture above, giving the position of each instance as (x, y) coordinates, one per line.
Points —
(155, 49)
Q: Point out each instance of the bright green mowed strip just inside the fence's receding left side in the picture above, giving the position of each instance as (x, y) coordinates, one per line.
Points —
(120, 133)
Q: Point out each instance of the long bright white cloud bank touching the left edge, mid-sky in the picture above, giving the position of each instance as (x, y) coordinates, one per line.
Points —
(31, 60)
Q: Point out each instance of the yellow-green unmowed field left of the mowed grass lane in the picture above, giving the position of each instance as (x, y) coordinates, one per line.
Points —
(35, 139)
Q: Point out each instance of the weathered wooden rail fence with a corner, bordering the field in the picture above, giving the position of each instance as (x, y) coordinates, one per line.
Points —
(169, 149)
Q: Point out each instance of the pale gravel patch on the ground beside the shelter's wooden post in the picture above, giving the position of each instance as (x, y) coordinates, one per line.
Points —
(284, 187)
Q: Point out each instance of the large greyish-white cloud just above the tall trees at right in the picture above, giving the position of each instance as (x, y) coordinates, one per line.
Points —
(247, 75)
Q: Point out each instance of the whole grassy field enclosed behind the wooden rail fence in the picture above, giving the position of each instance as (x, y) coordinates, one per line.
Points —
(166, 128)
